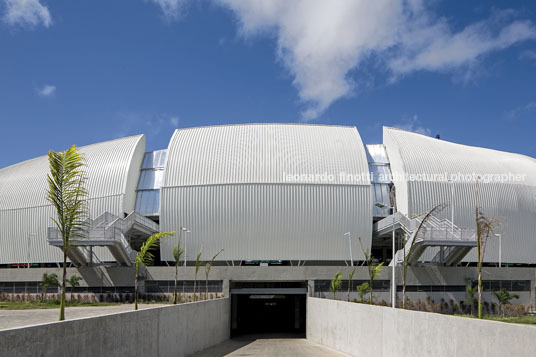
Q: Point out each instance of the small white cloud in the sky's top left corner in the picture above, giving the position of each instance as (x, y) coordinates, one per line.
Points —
(26, 13)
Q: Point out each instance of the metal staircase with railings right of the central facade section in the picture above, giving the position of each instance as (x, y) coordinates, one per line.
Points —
(454, 242)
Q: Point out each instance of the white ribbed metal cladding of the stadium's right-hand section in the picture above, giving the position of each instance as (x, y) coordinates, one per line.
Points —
(513, 202)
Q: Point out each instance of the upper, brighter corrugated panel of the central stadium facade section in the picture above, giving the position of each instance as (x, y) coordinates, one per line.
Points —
(262, 153)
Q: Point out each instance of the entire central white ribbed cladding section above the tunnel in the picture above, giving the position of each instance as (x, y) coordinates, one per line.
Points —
(226, 184)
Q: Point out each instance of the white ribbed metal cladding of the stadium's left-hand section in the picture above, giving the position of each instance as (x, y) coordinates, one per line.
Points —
(25, 213)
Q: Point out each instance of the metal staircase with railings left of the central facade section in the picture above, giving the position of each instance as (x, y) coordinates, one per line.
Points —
(107, 230)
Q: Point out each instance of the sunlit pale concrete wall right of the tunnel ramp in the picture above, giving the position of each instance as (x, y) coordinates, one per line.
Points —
(364, 330)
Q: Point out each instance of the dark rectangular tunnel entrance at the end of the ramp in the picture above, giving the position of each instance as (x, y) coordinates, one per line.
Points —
(268, 308)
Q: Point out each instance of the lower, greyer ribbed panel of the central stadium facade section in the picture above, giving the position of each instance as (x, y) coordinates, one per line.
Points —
(268, 221)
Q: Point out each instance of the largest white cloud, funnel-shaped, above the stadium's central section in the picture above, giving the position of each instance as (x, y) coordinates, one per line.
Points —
(323, 44)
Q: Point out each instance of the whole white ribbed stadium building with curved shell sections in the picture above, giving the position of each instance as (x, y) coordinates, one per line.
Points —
(288, 206)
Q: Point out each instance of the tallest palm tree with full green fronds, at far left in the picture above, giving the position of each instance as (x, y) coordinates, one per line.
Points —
(67, 193)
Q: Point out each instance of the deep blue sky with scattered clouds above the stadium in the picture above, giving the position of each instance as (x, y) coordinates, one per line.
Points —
(80, 72)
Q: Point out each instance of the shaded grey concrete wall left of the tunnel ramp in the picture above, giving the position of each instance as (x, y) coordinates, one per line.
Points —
(177, 330)
